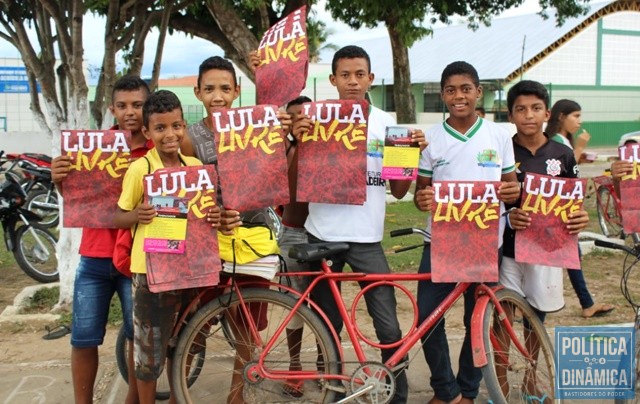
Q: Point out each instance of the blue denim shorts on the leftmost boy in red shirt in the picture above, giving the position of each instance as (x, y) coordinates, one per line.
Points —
(95, 283)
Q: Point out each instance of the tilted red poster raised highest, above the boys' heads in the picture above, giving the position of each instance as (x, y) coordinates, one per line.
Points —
(283, 51)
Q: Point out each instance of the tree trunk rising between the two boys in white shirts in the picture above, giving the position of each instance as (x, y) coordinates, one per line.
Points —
(403, 98)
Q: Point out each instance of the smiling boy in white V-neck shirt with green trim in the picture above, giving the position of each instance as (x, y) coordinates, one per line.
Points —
(463, 148)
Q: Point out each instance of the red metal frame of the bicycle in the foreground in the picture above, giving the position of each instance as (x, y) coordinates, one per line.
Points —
(484, 295)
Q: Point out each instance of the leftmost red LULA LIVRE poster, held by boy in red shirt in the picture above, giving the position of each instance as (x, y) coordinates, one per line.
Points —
(91, 190)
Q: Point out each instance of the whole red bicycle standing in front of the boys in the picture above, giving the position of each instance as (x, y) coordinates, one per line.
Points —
(256, 357)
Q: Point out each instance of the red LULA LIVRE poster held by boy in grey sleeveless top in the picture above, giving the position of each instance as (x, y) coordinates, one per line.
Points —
(251, 157)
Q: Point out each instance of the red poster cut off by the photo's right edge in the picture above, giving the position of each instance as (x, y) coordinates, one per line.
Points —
(630, 189)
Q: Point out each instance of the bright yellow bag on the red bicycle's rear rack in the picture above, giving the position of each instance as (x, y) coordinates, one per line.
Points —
(248, 243)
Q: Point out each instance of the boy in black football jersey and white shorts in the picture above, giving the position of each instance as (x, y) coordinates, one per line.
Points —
(534, 152)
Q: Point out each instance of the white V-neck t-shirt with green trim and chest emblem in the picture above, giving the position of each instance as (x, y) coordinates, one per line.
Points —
(484, 153)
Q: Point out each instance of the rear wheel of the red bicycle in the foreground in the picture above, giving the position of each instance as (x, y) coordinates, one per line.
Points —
(217, 378)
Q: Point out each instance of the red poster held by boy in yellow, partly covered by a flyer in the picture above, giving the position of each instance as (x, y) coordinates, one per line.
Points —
(199, 265)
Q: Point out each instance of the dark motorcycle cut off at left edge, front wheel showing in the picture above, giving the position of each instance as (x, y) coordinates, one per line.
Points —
(33, 246)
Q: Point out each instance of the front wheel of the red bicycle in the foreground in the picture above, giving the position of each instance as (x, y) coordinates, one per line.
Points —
(510, 375)
